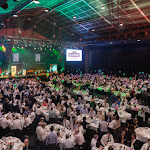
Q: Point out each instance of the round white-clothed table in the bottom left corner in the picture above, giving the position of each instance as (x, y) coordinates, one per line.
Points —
(5, 142)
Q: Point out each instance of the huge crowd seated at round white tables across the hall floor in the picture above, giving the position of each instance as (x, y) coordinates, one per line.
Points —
(95, 111)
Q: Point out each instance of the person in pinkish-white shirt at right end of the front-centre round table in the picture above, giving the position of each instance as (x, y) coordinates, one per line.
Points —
(79, 138)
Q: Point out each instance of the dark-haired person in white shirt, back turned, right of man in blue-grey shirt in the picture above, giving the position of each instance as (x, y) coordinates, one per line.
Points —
(68, 143)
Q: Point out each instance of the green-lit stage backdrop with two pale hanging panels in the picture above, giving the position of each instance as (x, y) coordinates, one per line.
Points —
(31, 59)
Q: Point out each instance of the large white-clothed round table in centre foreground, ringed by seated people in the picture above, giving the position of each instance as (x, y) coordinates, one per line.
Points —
(63, 131)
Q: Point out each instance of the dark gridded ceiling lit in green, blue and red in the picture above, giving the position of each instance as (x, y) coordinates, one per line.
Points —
(73, 20)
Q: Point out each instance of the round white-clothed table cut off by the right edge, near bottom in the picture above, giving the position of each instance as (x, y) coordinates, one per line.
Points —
(143, 134)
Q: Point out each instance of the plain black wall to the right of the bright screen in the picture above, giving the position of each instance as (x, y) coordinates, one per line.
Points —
(127, 58)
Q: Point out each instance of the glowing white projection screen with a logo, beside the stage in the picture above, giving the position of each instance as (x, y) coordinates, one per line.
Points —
(73, 55)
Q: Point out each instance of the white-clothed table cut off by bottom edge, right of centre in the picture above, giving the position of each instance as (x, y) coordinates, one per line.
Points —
(117, 146)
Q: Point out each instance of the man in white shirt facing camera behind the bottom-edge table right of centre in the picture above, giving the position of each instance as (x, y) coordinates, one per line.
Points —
(107, 138)
